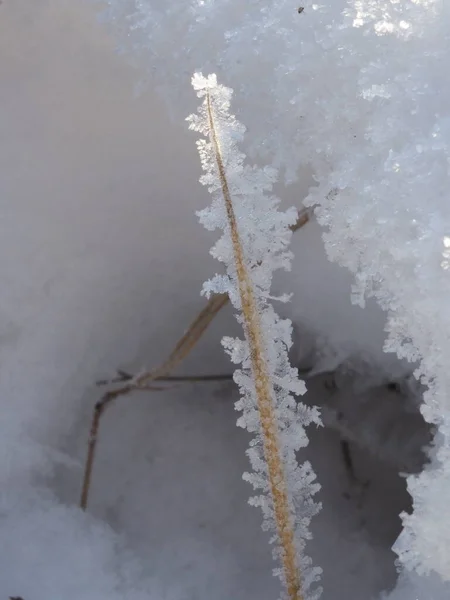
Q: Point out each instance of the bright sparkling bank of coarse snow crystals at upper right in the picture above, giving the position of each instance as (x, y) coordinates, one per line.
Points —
(359, 92)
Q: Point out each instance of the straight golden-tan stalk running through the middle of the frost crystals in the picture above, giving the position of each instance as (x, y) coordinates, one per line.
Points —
(263, 387)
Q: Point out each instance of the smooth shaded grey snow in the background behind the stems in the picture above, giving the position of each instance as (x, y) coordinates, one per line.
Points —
(102, 261)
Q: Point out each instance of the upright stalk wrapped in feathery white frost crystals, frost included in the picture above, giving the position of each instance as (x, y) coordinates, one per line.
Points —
(254, 244)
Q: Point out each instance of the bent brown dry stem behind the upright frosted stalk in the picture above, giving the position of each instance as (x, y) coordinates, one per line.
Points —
(161, 373)
